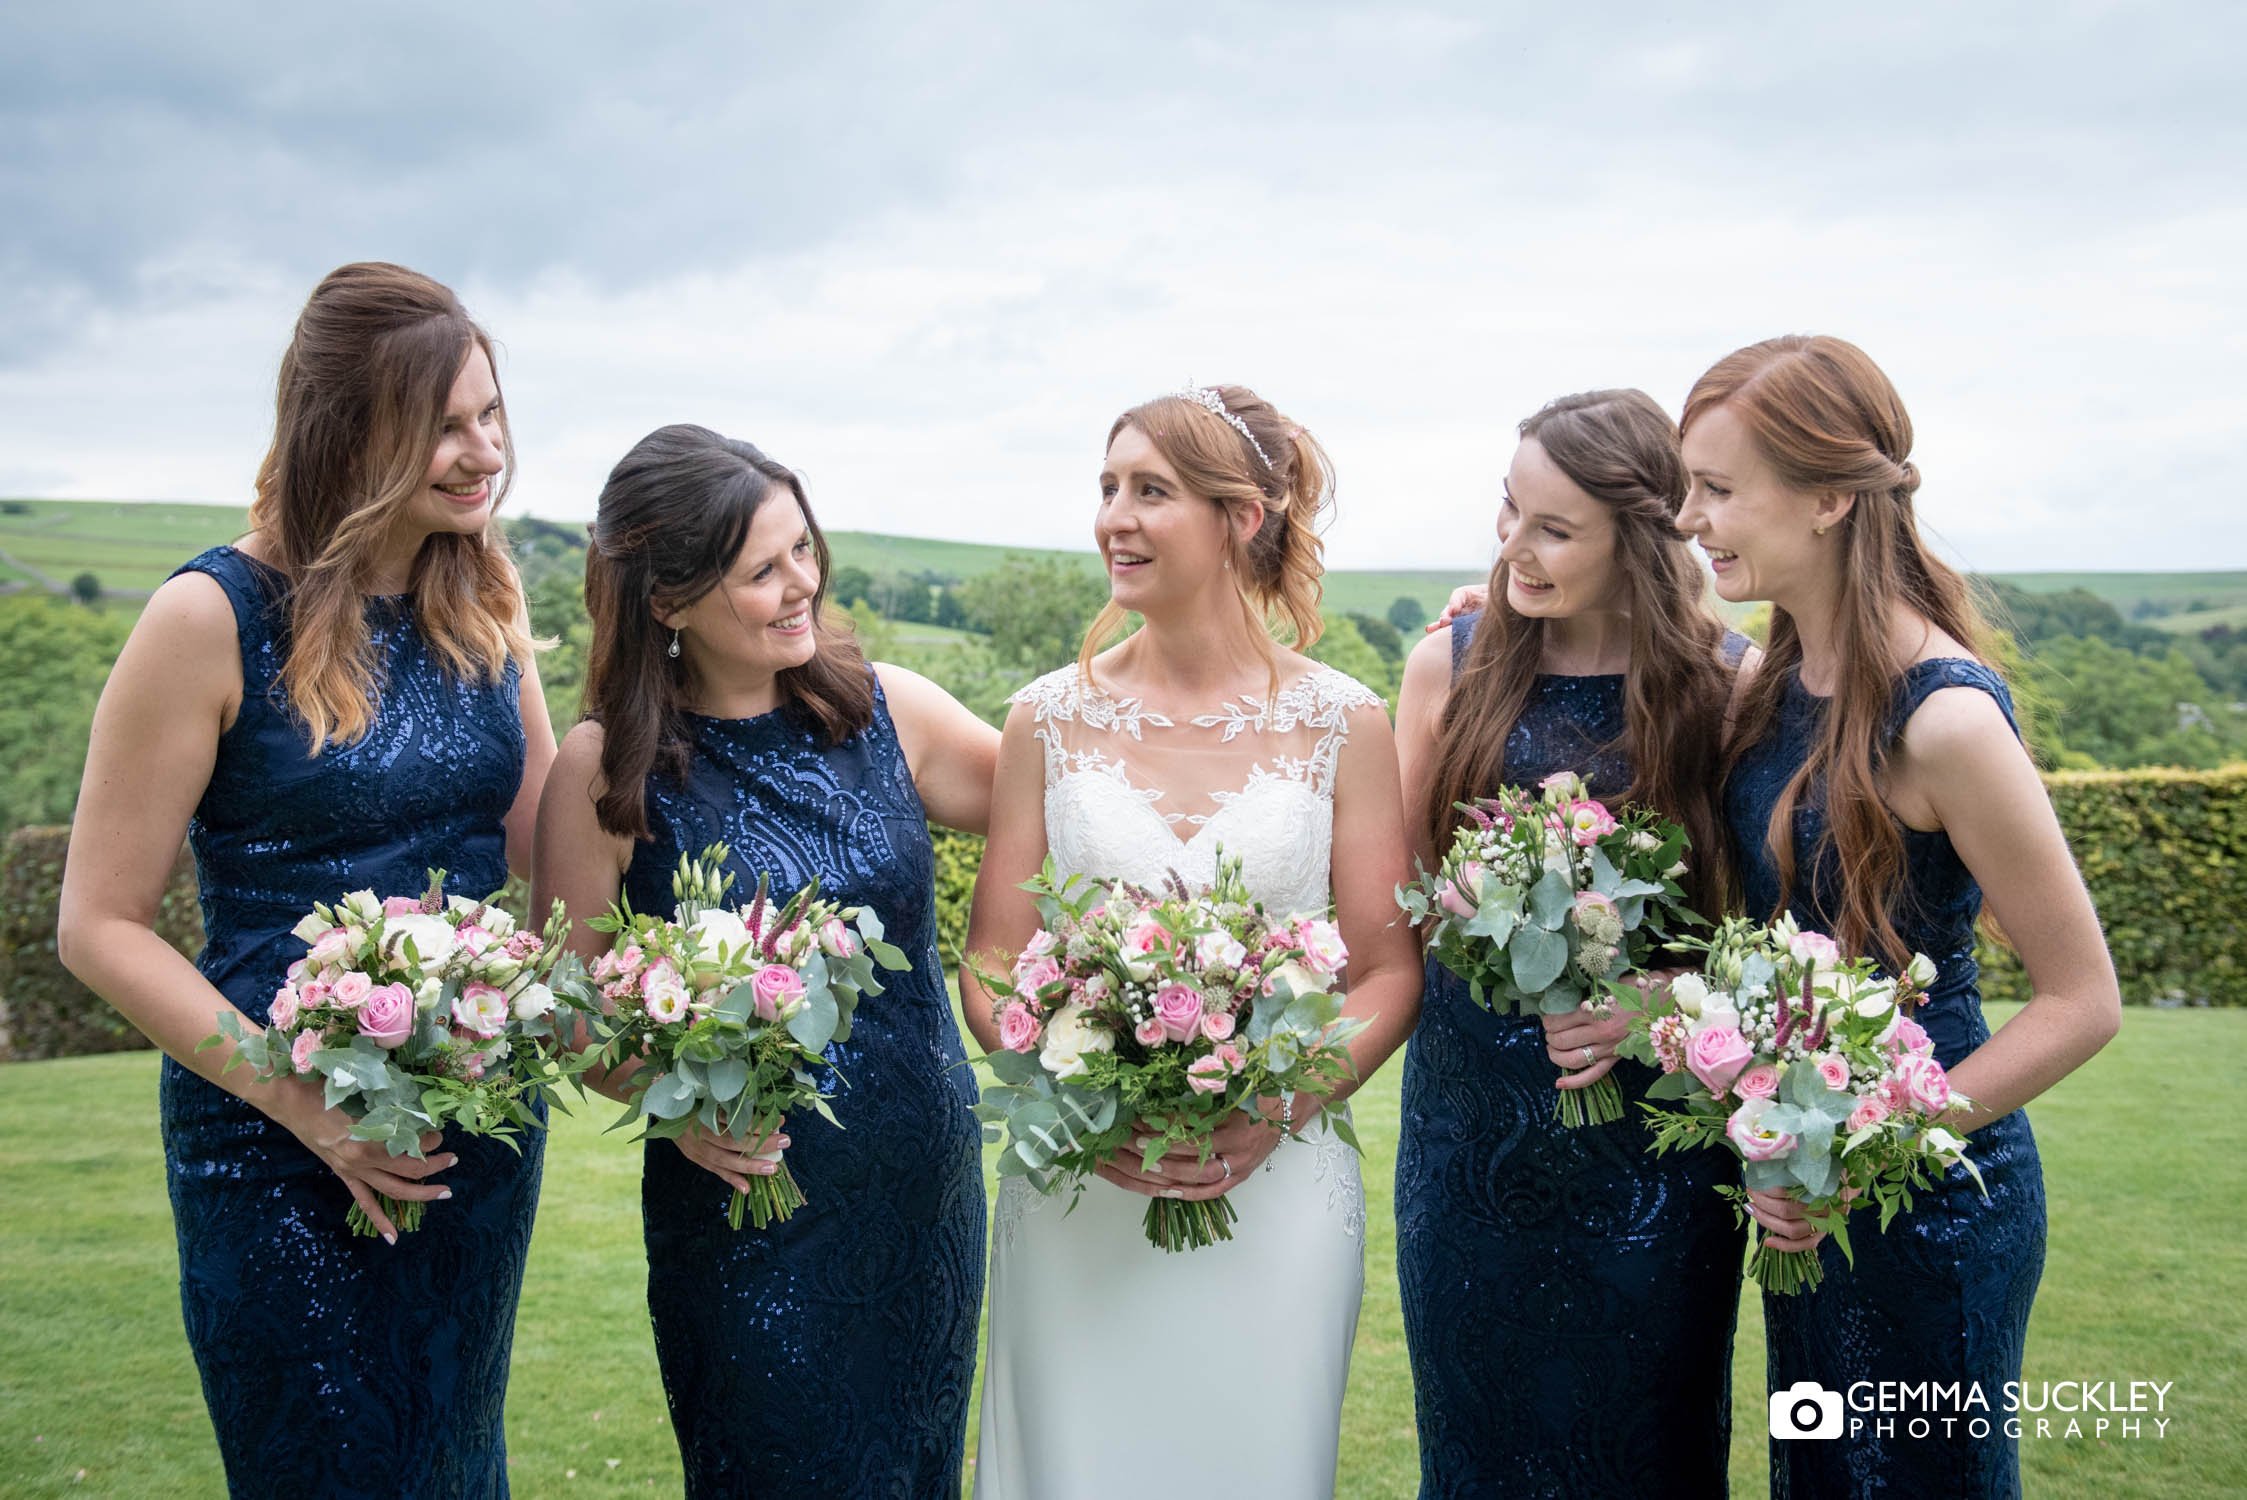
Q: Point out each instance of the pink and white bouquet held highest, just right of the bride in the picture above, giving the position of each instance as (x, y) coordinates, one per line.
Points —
(1545, 902)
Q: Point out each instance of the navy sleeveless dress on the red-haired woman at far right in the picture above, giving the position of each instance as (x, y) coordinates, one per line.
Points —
(1945, 1295)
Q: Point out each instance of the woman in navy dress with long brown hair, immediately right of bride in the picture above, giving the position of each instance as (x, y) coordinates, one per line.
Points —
(1570, 1297)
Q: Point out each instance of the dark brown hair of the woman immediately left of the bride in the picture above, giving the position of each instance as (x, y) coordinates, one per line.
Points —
(668, 529)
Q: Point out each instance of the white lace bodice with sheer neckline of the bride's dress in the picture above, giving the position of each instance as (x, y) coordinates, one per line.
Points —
(1134, 794)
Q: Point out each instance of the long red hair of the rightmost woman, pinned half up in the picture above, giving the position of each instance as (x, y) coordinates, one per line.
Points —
(1826, 419)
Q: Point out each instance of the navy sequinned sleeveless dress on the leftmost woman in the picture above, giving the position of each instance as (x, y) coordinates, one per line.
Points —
(331, 1364)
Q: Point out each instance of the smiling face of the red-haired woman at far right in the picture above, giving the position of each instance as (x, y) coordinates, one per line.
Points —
(1758, 531)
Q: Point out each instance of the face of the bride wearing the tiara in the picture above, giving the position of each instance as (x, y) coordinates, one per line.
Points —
(1163, 545)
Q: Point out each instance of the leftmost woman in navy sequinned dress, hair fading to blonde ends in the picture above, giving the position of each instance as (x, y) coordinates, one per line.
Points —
(343, 699)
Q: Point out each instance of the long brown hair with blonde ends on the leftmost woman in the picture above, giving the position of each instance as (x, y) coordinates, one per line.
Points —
(358, 414)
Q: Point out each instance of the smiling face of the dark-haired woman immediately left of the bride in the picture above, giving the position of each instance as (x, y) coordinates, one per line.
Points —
(761, 614)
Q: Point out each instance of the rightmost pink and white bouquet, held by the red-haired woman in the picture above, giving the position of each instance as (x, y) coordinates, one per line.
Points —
(1812, 1070)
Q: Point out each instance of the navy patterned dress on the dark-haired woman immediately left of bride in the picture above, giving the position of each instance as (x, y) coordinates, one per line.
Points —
(830, 1355)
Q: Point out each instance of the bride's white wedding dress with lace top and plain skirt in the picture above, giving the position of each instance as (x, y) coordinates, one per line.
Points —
(1118, 1369)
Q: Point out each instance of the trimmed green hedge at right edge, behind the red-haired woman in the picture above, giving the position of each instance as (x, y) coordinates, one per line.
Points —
(2163, 854)
